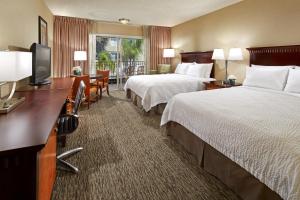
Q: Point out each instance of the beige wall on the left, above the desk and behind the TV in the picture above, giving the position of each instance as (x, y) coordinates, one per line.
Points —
(19, 24)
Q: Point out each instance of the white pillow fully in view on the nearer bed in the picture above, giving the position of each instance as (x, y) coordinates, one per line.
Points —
(266, 77)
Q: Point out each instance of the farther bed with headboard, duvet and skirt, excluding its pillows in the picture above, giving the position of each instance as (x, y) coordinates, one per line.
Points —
(154, 91)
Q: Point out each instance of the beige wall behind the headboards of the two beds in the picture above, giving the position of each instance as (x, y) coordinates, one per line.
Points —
(249, 23)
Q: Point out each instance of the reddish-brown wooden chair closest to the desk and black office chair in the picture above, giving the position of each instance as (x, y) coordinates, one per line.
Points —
(87, 92)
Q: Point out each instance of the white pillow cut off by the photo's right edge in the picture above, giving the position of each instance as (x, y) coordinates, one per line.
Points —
(293, 82)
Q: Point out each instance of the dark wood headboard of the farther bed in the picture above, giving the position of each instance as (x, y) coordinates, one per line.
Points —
(199, 57)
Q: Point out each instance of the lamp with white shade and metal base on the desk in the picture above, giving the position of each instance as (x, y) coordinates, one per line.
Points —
(14, 66)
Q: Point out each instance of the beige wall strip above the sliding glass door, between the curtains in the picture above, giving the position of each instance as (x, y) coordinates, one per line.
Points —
(116, 29)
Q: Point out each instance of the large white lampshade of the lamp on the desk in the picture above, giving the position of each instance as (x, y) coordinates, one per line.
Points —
(15, 65)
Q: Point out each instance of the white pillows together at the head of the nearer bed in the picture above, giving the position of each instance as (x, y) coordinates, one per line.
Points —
(281, 78)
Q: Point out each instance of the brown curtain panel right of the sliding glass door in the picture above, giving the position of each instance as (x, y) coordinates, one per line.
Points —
(160, 39)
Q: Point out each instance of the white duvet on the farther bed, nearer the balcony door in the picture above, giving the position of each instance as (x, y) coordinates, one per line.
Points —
(157, 89)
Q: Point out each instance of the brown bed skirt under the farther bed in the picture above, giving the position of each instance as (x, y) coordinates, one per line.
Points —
(137, 100)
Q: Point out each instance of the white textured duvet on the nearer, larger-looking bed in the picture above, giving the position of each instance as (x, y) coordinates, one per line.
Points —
(258, 129)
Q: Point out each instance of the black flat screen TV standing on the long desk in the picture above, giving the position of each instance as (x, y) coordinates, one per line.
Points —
(41, 64)
